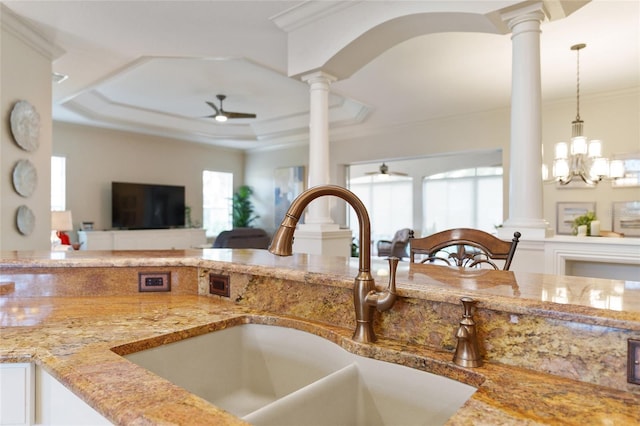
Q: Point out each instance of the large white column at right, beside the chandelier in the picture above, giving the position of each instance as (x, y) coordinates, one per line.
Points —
(525, 178)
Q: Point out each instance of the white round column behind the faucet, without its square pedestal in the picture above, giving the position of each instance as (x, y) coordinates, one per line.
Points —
(318, 212)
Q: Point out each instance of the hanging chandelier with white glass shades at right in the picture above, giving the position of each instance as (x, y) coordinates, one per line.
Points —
(581, 158)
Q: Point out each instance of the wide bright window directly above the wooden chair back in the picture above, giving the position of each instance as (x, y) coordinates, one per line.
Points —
(467, 198)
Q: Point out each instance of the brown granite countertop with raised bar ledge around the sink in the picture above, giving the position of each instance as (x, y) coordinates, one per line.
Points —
(555, 347)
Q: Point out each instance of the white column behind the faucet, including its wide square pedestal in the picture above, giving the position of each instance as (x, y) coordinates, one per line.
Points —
(319, 234)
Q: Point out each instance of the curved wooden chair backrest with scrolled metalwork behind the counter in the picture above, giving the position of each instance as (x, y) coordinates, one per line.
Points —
(463, 247)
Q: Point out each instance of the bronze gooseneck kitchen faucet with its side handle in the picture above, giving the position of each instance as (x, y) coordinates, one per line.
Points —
(364, 290)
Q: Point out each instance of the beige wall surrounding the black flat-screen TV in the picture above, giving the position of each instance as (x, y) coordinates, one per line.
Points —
(96, 157)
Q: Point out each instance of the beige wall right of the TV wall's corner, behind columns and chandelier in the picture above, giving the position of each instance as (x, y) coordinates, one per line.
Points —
(615, 118)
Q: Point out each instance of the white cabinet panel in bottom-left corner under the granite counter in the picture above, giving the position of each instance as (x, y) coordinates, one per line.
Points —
(16, 394)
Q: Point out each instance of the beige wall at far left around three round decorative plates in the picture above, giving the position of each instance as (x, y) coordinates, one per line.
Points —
(26, 75)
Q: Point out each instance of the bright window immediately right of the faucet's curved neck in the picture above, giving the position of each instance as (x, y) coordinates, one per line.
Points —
(389, 201)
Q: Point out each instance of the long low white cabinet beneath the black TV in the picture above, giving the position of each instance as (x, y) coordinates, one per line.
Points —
(143, 239)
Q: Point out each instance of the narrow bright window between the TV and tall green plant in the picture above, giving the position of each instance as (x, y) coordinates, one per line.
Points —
(217, 190)
